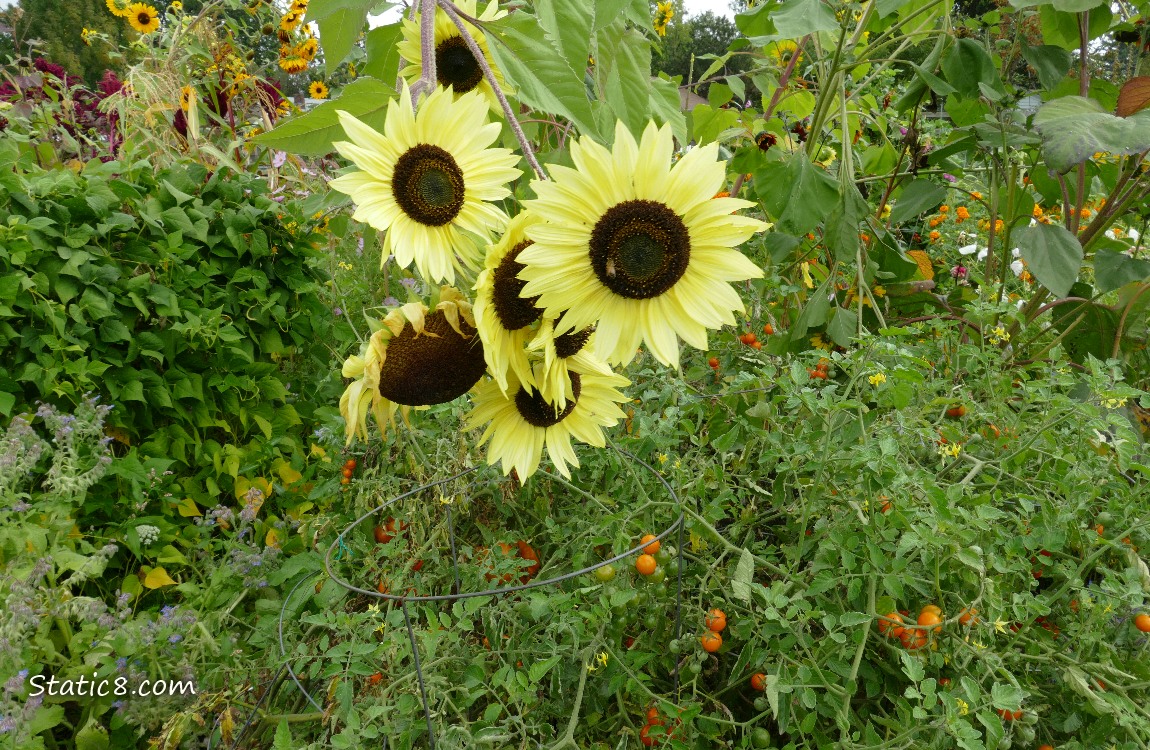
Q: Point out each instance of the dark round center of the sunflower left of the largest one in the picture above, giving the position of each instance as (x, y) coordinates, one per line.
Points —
(428, 186)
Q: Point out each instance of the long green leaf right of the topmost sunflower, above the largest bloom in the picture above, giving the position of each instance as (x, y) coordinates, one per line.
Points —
(545, 80)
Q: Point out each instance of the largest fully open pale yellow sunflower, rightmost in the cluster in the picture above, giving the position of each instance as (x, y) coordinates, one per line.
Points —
(637, 248)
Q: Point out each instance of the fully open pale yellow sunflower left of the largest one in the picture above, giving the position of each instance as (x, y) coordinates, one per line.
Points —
(427, 178)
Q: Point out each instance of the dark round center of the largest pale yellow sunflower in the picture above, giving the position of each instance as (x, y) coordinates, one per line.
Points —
(640, 249)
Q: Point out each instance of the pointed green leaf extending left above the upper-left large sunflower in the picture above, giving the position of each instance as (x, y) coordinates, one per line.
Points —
(312, 134)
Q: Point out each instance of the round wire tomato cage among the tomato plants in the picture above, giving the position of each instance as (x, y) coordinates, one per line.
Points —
(334, 557)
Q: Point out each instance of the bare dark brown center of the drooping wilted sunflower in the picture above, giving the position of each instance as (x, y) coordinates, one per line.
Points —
(433, 368)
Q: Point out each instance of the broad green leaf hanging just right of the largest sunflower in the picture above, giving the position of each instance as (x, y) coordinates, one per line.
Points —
(796, 194)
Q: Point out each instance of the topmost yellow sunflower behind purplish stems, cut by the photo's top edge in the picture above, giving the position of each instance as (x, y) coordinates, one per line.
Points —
(456, 66)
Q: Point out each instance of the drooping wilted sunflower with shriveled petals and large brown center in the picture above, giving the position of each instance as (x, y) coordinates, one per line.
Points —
(417, 358)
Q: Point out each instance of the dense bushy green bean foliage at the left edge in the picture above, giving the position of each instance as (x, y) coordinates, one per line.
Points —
(185, 295)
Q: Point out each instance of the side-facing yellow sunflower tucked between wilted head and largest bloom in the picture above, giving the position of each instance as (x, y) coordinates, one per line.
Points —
(507, 322)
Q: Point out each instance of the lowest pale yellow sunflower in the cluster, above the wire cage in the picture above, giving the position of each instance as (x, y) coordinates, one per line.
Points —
(522, 424)
